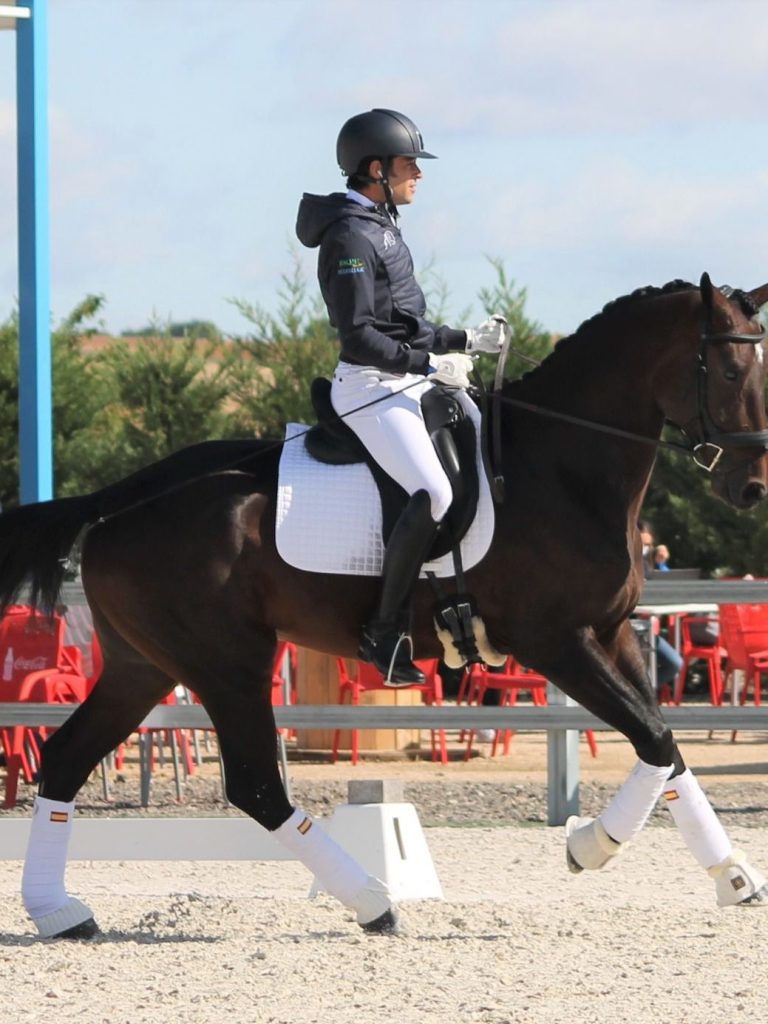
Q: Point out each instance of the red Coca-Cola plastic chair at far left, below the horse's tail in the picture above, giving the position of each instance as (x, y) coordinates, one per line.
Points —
(36, 667)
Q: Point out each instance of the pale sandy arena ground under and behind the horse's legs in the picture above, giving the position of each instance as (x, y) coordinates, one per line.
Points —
(517, 941)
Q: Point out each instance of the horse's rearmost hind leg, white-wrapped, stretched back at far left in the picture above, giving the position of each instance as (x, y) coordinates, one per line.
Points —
(127, 691)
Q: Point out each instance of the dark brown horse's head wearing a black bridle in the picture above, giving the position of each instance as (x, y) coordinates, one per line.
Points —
(730, 428)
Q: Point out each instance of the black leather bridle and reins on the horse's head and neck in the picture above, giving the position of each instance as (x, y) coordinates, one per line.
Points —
(706, 452)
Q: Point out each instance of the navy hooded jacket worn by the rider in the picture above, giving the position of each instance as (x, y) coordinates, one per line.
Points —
(366, 276)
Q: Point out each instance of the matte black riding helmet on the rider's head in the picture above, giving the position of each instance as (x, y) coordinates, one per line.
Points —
(378, 135)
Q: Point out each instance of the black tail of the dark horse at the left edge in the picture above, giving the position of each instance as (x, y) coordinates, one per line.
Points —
(35, 543)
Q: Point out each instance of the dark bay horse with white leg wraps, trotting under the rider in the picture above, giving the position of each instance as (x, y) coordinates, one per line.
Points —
(185, 582)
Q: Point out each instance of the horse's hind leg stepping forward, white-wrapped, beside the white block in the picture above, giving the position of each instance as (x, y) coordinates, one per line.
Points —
(245, 726)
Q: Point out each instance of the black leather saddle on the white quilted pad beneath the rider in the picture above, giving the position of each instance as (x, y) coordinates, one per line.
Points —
(332, 442)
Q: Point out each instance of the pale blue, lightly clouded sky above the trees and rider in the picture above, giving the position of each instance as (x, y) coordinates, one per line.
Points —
(593, 147)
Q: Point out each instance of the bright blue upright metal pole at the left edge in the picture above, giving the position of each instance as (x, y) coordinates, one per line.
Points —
(35, 418)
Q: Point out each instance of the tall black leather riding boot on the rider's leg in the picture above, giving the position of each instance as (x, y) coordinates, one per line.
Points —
(386, 642)
